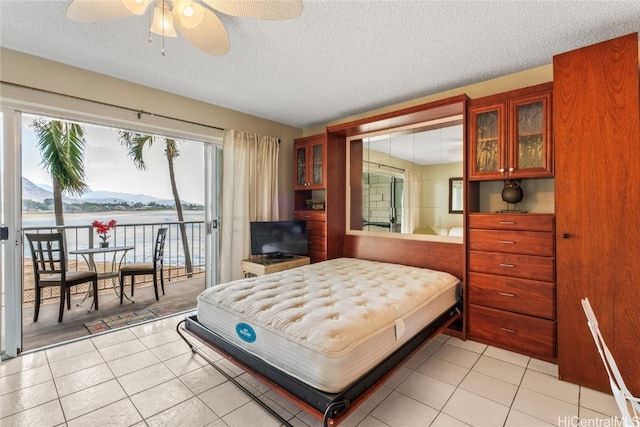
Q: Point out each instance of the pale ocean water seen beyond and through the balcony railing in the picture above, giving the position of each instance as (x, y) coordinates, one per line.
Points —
(79, 232)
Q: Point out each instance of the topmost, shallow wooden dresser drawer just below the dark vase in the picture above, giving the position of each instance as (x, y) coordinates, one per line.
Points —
(527, 222)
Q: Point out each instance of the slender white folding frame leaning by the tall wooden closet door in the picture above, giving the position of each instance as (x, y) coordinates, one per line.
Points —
(628, 405)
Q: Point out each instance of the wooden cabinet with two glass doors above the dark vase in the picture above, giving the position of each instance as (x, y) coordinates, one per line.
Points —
(510, 135)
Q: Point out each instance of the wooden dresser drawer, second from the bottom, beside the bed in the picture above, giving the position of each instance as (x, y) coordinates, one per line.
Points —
(512, 294)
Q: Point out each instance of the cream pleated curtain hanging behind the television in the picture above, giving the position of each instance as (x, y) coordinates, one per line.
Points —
(249, 193)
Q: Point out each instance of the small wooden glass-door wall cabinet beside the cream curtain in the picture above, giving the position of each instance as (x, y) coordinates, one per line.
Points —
(309, 158)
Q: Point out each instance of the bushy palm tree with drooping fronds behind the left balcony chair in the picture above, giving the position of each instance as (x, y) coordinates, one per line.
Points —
(61, 146)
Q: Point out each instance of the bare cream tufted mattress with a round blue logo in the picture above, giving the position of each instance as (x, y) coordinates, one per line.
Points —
(328, 323)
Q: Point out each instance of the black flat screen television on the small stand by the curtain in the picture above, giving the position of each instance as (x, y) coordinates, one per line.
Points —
(278, 239)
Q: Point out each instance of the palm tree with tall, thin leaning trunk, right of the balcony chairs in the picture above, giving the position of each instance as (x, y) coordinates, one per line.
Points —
(135, 143)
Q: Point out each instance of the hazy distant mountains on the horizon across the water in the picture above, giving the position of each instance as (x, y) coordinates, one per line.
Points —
(40, 192)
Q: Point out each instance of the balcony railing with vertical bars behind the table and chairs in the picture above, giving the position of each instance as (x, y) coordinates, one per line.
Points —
(141, 236)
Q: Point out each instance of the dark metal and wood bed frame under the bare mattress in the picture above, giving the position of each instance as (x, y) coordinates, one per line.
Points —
(330, 407)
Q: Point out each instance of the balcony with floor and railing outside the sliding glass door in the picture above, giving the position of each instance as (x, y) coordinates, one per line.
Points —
(181, 286)
